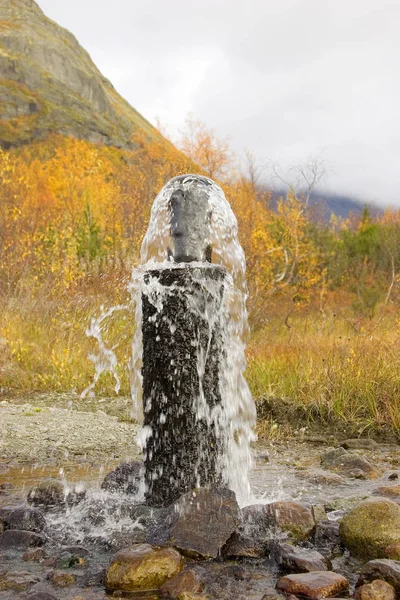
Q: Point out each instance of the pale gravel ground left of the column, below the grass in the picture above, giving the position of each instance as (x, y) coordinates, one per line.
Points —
(38, 434)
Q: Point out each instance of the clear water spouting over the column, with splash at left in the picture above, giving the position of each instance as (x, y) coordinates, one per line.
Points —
(193, 230)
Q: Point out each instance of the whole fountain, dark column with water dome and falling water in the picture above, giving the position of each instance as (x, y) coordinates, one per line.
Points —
(198, 412)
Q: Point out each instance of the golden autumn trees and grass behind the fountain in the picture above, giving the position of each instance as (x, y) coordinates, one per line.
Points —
(323, 299)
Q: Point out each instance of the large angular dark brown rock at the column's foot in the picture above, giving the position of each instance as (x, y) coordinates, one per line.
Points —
(199, 523)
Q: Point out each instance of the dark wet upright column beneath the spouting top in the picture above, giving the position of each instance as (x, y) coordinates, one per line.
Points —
(182, 353)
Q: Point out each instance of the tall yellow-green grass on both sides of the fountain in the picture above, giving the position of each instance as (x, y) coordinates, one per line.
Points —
(325, 372)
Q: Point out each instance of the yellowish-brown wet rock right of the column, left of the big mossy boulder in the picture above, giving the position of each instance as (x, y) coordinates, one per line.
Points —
(292, 517)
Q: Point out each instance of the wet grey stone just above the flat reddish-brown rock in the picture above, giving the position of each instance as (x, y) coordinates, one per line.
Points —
(292, 559)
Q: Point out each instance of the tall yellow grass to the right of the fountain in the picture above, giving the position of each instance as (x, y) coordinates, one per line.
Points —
(326, 372)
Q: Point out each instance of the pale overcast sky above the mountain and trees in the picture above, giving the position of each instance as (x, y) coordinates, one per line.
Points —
(285, 79)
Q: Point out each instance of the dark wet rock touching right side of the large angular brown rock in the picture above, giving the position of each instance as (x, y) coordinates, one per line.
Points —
(254, 535)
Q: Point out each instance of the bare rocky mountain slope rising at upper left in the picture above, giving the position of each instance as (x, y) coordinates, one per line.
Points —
(48, 83)
